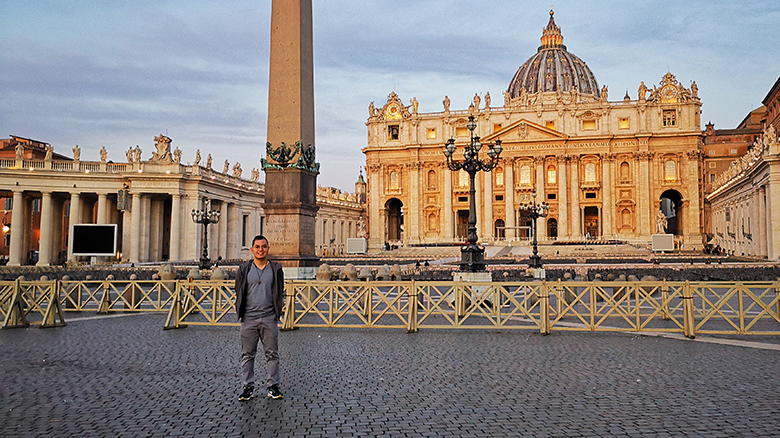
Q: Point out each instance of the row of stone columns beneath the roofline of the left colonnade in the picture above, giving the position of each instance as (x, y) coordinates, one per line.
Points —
(157, 227)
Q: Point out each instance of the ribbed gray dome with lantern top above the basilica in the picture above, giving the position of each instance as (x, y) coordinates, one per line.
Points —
(553, 68)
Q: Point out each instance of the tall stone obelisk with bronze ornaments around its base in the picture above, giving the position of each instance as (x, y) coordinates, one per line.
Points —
(290, 169)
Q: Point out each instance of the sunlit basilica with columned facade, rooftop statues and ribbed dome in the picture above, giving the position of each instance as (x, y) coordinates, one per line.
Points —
(606, 168)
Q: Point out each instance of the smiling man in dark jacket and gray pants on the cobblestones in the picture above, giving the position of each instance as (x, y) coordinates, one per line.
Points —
(259, 301)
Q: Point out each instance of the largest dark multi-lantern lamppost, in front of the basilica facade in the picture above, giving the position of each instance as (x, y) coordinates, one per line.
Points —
(472, 255)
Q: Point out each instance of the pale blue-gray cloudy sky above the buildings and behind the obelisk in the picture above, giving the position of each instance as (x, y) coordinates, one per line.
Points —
(117, 73)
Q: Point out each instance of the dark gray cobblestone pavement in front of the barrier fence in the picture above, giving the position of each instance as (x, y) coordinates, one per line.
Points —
(122, 375)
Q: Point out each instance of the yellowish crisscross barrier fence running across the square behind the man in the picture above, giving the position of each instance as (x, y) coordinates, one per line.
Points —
(731, 308)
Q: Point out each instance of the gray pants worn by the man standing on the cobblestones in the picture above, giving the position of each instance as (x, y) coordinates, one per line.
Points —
(266, 331)
